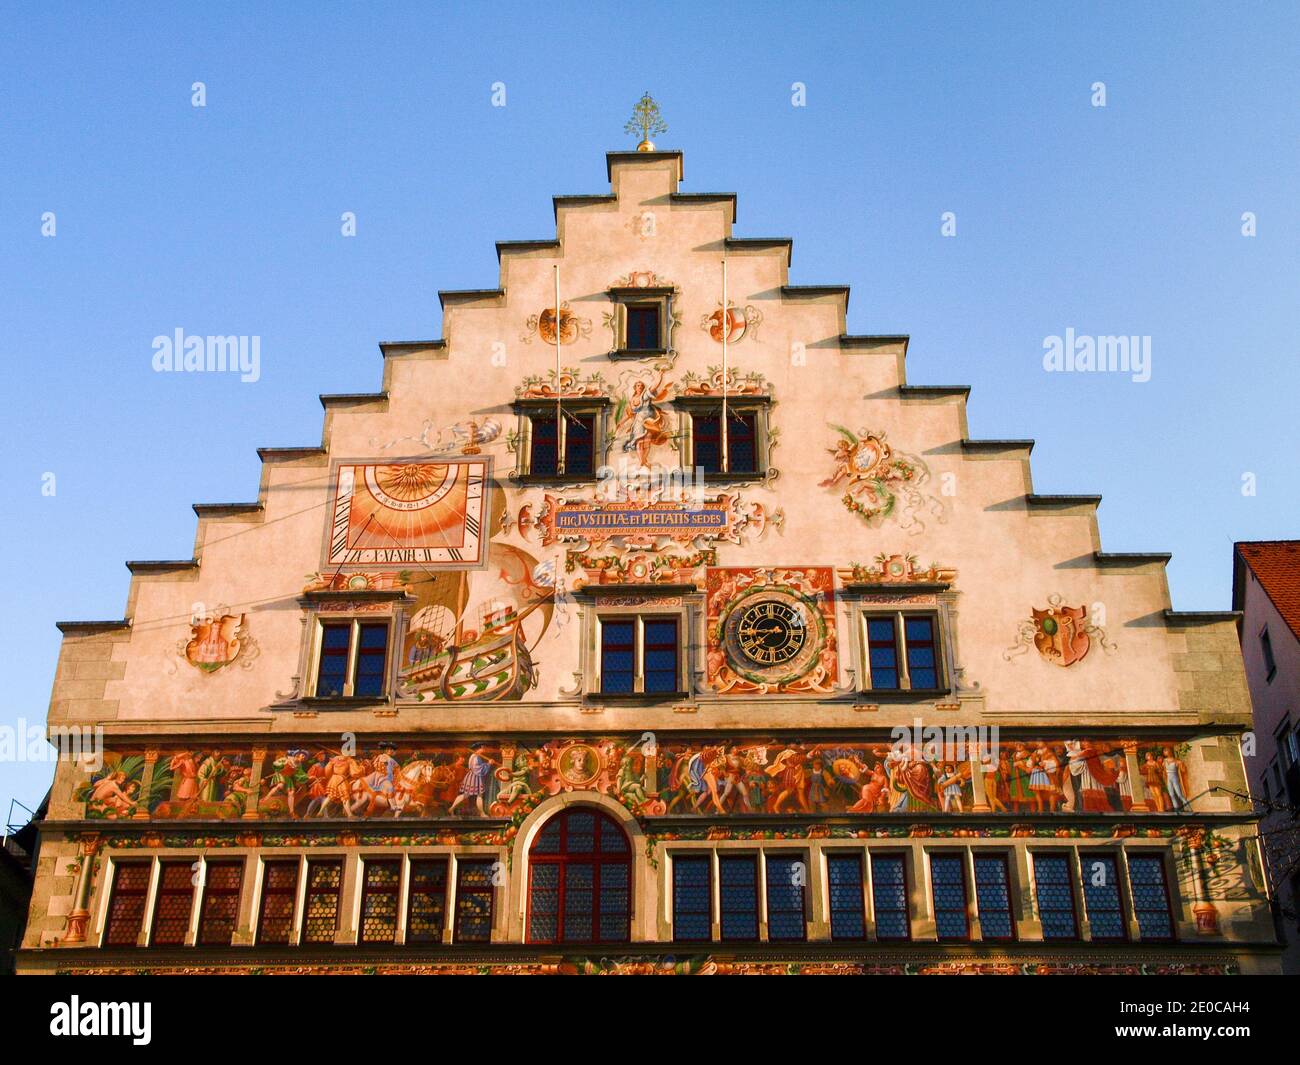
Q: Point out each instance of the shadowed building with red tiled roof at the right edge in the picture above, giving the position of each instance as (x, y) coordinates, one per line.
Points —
(1267, 594)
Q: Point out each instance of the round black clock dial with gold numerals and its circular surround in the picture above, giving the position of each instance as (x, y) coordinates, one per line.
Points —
(772, 635)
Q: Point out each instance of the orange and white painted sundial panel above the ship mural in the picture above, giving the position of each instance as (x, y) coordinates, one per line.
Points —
(424, 514)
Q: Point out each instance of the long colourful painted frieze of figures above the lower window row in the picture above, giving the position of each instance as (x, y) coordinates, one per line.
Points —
(714, 777)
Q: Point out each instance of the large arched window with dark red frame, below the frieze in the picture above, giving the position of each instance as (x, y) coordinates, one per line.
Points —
(580, 880)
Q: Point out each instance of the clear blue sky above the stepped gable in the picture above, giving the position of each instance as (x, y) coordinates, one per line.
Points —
(226, 220)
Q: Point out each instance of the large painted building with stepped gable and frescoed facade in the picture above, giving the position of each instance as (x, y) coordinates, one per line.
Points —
(653, 624)
